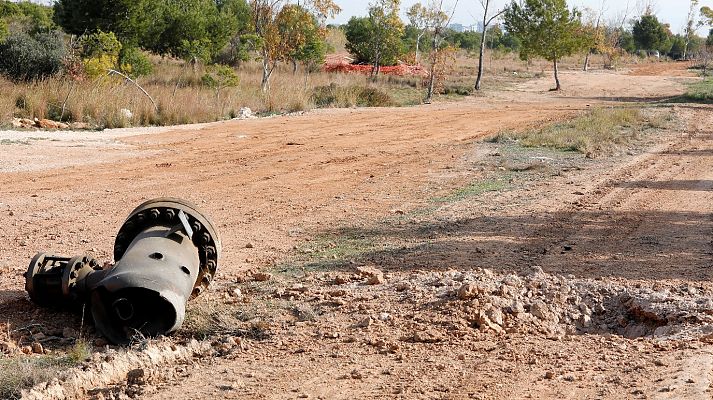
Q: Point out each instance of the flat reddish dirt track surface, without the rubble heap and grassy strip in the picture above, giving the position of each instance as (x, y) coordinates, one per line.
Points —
(641, 219)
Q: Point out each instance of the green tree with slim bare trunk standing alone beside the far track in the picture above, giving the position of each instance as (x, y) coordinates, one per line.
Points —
(546, 28)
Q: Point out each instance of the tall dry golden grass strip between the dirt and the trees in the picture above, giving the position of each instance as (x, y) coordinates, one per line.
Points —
(182, 98)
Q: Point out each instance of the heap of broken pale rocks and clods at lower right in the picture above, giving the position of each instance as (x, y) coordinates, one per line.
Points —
(557, 305)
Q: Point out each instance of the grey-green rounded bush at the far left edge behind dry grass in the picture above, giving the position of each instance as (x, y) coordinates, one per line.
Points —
(24, 57)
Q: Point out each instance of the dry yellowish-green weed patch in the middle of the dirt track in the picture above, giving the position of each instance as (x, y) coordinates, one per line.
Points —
(596, 133)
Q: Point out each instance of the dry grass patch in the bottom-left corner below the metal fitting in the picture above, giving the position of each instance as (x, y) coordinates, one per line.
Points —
(17, 374)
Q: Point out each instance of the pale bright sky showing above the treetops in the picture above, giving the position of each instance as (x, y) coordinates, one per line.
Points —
(673, 12)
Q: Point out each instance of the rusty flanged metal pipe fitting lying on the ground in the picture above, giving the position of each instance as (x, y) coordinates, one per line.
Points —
(165, 253)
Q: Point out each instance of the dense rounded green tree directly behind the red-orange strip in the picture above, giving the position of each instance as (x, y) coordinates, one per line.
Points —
(376, 39)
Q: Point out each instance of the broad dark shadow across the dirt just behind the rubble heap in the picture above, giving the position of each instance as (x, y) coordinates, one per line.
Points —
(644, 245)
